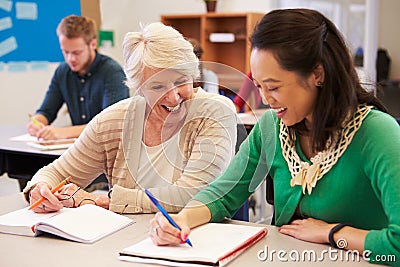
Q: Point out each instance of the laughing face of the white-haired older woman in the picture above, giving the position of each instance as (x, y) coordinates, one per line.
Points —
(166, 91)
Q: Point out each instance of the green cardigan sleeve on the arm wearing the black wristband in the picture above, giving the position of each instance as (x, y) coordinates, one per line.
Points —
(381, 155)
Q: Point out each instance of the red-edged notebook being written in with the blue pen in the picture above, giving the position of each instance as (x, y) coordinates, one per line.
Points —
(214, 244)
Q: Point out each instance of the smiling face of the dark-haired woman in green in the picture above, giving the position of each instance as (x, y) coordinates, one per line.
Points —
(291, 96)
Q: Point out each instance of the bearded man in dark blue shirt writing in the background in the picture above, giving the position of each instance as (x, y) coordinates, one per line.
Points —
(87, 82)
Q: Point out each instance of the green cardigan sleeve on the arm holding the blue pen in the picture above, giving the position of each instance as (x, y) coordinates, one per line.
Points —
(244, 174)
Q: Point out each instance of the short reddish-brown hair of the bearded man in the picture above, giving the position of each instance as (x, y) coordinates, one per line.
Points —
(75, 26)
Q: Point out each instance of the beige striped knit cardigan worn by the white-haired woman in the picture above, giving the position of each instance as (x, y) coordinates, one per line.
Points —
(111, 143)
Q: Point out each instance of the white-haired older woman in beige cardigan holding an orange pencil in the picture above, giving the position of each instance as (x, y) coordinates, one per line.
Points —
(170, 138)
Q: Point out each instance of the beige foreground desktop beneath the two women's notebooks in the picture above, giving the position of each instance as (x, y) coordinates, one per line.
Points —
(45, 250)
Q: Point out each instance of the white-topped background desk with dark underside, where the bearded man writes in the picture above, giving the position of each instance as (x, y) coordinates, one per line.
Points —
(19, 160)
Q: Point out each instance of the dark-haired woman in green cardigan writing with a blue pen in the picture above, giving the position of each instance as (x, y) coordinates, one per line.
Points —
(327, 143)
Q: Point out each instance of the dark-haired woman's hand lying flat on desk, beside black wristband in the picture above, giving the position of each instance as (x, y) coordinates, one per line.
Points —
(311, 230)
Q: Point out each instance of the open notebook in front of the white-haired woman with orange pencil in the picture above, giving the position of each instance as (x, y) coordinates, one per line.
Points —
(85, 224)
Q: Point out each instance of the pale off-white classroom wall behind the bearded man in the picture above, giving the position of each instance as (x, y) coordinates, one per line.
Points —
(22, 92)
